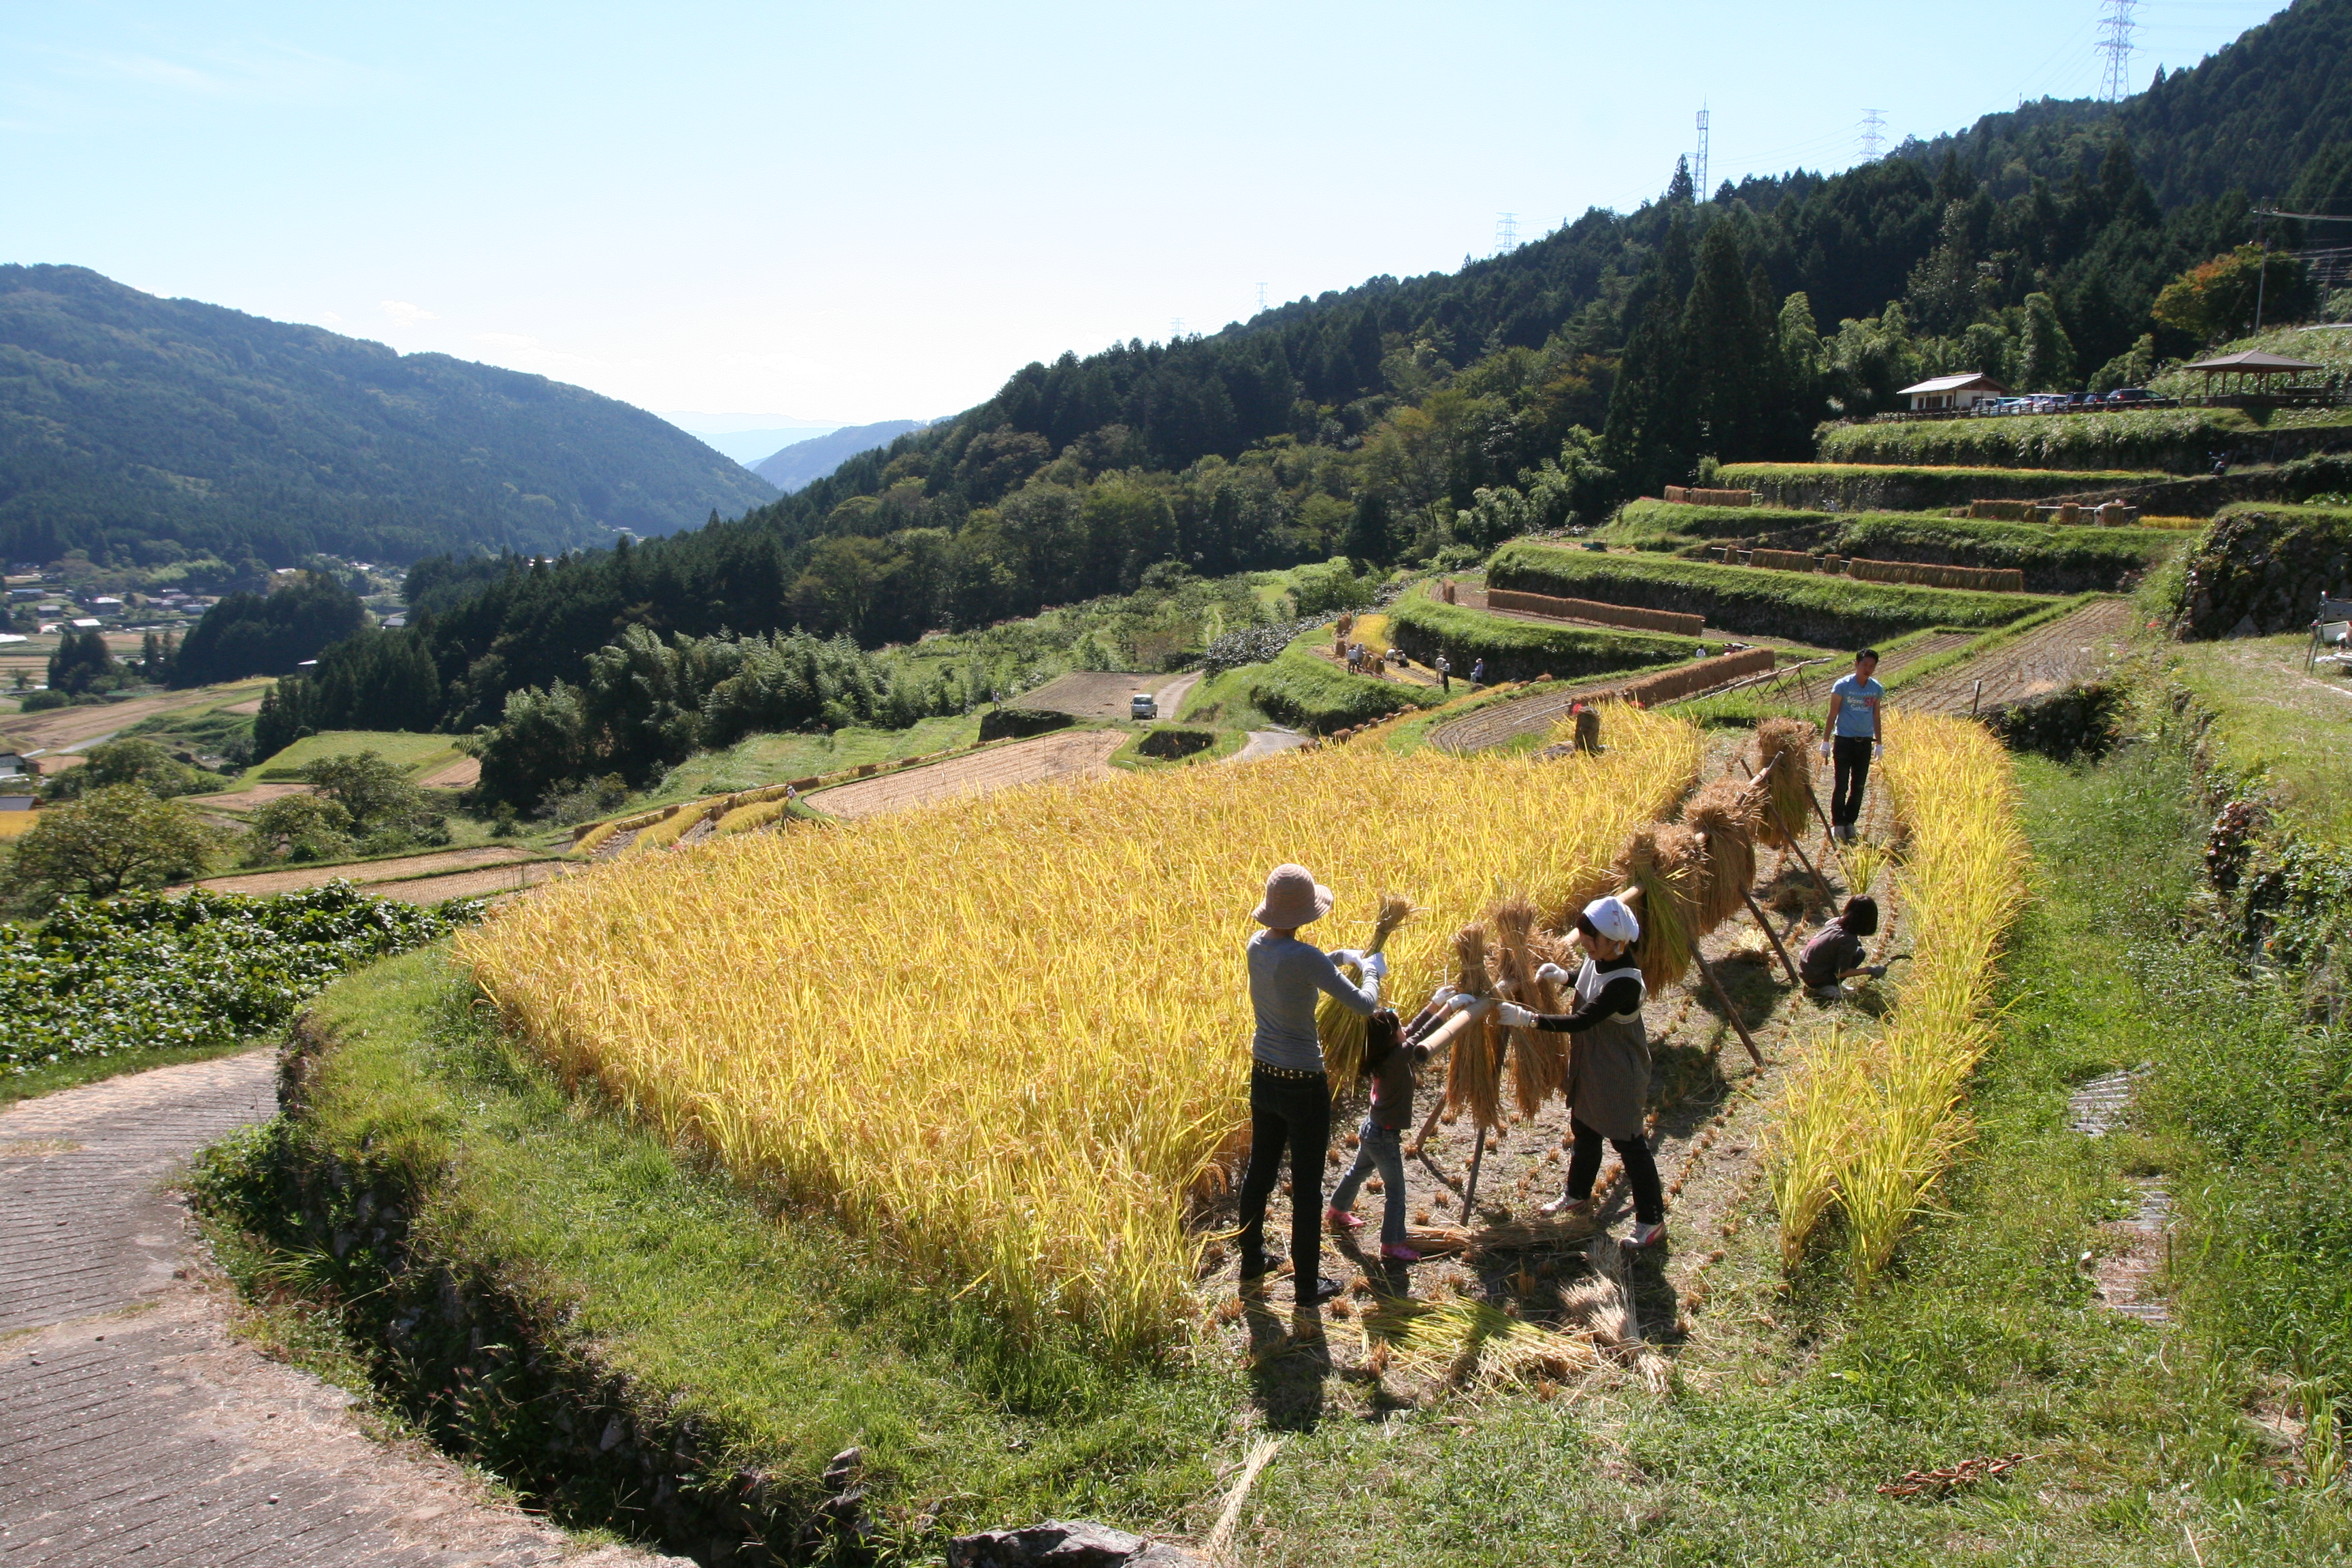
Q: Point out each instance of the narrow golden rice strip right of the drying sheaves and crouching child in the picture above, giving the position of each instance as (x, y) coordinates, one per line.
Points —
(1866, 1127)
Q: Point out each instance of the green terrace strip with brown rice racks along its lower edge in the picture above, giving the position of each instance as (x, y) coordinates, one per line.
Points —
(2052, 558)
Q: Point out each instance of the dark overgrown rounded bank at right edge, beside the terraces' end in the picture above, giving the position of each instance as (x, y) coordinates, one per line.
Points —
(2261, 570)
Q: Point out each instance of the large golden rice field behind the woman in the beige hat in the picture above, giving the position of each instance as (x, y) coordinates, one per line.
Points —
(1005, 1038)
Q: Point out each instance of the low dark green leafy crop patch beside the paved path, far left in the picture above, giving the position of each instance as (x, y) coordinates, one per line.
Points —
(199, 970)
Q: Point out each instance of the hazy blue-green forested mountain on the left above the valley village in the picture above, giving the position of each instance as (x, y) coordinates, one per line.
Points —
(159, 429)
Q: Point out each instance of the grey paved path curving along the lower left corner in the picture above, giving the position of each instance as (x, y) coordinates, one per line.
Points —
(135, 1428)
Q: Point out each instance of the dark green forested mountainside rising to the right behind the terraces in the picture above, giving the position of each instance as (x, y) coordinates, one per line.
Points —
(1448, 413)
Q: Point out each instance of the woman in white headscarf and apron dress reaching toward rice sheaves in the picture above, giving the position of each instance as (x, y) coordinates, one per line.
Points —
(1610, 1066)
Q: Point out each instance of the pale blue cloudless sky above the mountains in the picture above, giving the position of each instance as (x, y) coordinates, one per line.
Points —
(855, 213)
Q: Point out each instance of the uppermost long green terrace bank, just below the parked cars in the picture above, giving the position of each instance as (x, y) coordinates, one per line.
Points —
(2179, 441)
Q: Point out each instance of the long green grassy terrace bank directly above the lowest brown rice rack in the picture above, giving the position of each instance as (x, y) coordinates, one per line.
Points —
(1751, 601)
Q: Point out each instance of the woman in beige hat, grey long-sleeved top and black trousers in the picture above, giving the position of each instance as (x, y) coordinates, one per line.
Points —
(1290, 1099)
